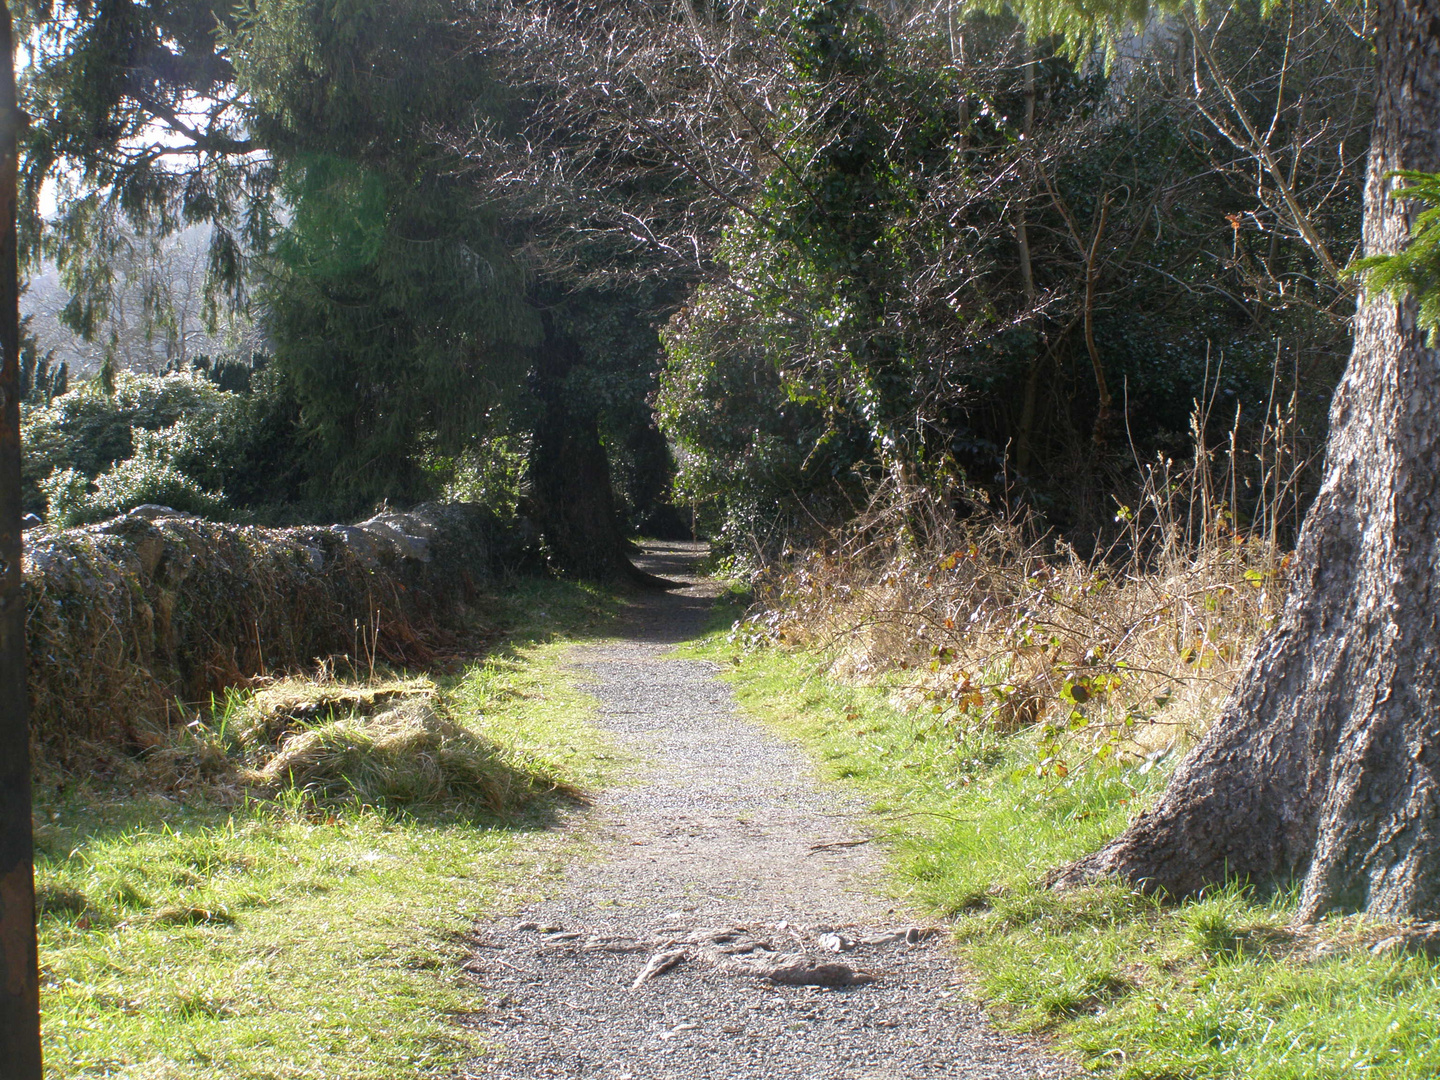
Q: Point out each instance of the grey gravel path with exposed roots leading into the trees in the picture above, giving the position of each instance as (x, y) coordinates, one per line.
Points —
(732, 875)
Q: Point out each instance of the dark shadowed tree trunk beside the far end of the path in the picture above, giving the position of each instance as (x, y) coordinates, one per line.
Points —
(571, 476)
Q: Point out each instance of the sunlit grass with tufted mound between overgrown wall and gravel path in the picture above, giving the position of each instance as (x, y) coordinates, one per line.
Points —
(227, 924)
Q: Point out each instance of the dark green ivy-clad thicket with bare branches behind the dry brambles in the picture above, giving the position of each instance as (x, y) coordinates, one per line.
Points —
(978, 267)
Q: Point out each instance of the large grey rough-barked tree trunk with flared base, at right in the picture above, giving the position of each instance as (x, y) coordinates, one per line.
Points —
(1326, 761)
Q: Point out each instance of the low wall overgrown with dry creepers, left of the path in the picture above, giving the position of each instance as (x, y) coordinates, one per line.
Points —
(135, 616)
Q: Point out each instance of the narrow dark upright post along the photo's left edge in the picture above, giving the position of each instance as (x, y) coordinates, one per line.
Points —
(19, 971)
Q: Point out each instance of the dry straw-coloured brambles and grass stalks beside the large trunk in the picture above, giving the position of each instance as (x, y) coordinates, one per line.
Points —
(1125, 653)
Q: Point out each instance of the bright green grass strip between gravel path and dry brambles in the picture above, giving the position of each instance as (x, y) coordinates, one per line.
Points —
(1216, 989)
